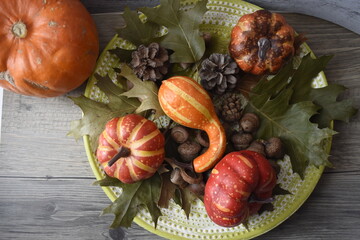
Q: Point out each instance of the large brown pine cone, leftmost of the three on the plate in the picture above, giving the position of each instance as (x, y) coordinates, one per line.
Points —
(150, 63)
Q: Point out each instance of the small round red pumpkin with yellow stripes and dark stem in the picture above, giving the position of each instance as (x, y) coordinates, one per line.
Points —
(141, 143)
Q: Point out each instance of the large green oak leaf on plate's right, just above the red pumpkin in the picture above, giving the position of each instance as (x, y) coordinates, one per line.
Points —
(303, 140)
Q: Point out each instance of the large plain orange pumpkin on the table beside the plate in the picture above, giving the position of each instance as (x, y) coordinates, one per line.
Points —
(48, 47)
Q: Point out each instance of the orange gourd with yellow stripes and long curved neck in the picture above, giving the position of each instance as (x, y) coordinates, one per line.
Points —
(188, 103)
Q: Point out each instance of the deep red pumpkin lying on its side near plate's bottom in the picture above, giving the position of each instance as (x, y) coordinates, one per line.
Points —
(233, 180)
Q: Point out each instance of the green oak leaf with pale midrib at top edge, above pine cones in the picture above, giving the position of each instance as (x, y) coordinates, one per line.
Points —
(183, 35)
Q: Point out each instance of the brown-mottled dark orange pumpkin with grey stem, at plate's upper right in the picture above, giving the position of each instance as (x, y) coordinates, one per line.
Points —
(261, 42)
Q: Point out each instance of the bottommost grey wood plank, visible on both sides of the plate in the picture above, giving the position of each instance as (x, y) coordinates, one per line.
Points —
(69, 208)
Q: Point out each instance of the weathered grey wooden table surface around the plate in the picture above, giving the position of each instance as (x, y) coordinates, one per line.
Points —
(46, 187)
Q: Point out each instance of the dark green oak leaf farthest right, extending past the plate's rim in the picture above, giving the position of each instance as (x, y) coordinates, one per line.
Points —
(301, 81)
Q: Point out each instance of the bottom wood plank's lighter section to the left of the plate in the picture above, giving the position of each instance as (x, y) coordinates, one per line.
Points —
(36, 209)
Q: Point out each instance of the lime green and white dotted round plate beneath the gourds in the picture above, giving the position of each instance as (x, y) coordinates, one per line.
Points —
(219, 20)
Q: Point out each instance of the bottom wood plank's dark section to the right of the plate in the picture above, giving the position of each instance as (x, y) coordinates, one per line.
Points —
(331, 212)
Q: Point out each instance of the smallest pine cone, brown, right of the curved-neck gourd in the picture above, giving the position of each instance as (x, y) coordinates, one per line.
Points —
(231, 108)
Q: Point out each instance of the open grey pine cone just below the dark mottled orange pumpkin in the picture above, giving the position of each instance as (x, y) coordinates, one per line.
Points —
(219, 72)
